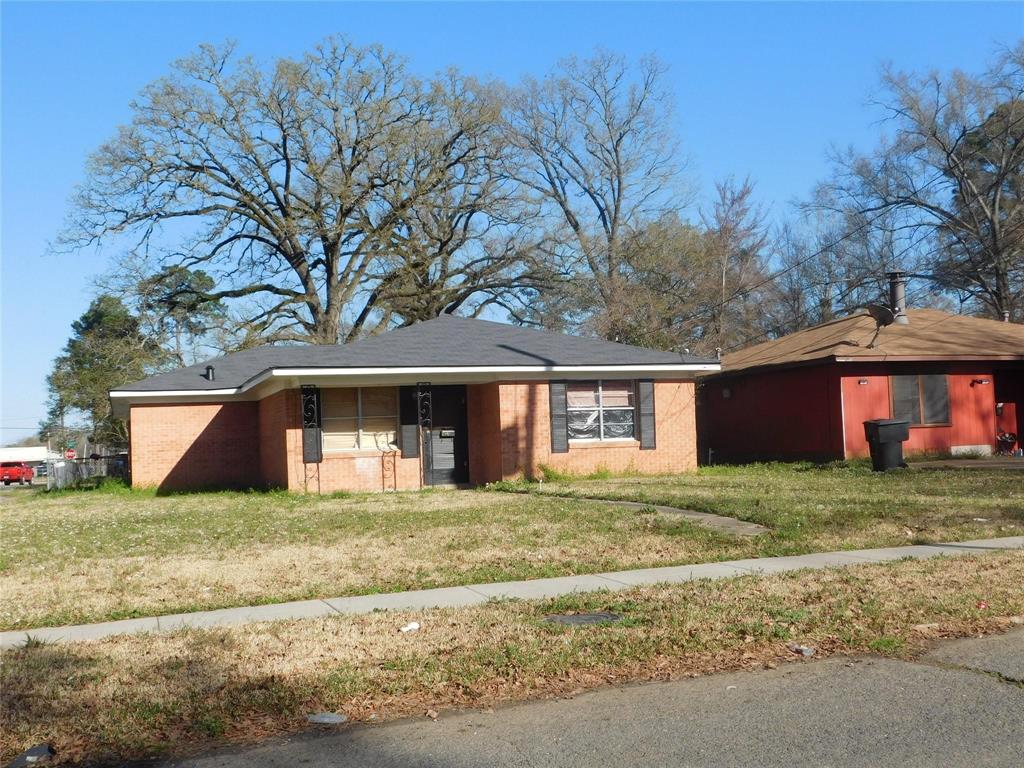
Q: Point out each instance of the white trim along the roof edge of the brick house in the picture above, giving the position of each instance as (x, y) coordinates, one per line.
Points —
(438, 370)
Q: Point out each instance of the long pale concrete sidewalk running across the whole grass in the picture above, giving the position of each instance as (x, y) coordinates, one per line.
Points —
(476, 594)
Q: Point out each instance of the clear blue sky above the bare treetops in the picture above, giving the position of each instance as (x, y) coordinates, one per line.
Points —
(761, 90)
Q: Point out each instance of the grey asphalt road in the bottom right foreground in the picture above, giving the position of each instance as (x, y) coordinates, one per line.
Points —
(961, 705)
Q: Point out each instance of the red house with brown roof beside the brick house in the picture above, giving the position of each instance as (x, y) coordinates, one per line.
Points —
(958, 379)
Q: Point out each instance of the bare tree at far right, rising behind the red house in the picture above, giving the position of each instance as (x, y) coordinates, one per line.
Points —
(946, 187)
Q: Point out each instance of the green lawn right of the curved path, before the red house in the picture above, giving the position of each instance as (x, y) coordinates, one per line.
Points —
(819, 508)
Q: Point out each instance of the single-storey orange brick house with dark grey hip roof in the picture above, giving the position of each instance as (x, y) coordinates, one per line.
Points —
(448, 402)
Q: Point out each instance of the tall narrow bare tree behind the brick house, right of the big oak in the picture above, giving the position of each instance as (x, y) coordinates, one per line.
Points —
(595, 154)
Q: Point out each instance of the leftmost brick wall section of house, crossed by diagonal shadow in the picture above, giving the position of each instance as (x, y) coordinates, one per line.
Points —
(179, 448)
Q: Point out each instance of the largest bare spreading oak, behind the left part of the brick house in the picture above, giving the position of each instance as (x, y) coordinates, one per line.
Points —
(323, 198)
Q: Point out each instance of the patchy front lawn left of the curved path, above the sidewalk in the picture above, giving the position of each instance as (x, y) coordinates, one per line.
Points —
(69, 562)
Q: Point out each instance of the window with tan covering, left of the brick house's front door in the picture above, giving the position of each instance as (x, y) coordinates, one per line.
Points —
(361, 419)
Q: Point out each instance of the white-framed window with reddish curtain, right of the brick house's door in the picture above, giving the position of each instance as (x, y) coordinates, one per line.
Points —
(602, 410)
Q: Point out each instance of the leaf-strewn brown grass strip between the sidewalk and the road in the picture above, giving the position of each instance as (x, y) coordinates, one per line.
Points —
(136, 697)
